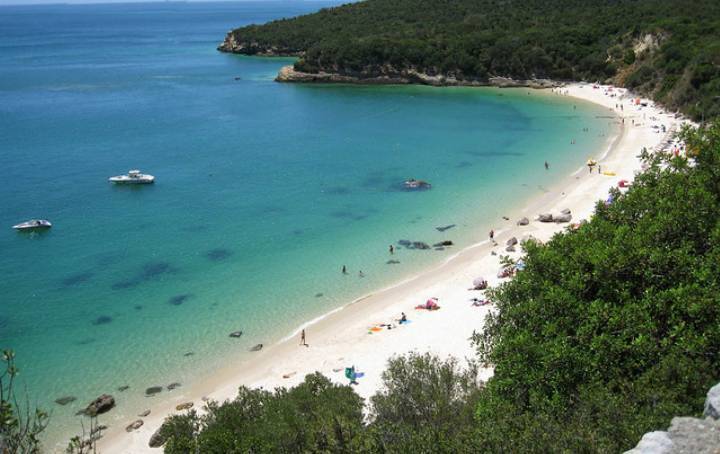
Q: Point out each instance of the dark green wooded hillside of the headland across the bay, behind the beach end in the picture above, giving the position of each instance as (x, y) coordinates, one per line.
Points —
(668, 49)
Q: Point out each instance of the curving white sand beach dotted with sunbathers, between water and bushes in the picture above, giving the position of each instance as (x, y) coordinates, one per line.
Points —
(342, 338)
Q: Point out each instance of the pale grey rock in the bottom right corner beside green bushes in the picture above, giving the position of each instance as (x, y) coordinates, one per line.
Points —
(687, 435)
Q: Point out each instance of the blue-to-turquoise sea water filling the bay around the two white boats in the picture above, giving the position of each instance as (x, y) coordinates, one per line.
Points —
(263, 191)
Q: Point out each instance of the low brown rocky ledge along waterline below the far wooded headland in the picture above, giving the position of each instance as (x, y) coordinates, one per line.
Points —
(386, 75)
